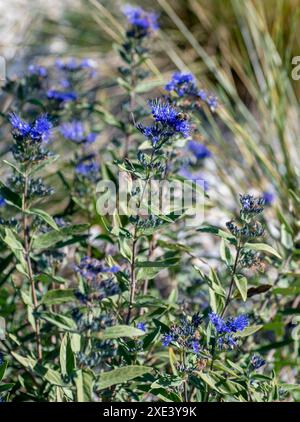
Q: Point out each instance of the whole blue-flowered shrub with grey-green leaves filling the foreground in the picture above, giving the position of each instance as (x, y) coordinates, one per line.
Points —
(127, 306)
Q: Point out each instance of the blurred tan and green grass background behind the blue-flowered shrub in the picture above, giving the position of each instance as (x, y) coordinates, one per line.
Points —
(240, 49)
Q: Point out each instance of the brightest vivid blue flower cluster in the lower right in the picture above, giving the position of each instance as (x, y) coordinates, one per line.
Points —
(226, 328)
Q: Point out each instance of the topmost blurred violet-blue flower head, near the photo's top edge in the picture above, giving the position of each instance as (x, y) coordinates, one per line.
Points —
(142, 22)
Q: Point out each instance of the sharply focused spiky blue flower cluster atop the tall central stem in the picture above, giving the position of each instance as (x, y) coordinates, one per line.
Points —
(168, 123)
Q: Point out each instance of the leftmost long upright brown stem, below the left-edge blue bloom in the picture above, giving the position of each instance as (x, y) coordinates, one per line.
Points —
(26, 229)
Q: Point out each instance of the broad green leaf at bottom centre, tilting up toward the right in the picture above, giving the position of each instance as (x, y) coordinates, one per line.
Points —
(121, 375)
